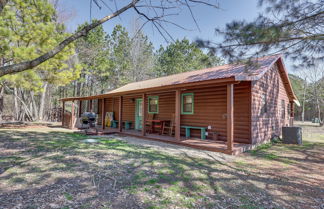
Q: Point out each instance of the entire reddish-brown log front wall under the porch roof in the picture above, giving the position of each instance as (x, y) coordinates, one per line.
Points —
(209, 109)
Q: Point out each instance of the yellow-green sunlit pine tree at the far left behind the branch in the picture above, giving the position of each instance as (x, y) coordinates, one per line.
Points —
(27, 30)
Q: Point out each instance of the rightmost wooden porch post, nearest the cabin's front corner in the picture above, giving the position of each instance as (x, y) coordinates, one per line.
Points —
(230, 116)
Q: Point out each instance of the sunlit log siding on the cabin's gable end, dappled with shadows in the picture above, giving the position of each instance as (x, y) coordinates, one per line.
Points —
(265, 126)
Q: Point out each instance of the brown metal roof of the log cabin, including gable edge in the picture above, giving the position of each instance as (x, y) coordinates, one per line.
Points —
(235, 72)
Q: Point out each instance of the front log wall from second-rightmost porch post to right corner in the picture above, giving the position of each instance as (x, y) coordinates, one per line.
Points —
(210, 109)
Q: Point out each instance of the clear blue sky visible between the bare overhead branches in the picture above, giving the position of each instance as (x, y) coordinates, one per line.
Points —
(207, 18)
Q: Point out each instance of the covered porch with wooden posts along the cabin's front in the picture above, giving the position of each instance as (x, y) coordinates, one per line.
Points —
(217, 117)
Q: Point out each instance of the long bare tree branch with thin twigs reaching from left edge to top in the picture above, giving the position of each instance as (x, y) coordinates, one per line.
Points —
(155, 12)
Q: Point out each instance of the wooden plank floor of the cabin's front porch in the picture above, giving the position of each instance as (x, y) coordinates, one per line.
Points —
(209, 145)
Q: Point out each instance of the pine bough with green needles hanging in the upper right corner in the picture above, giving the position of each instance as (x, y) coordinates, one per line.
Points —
(294, 28)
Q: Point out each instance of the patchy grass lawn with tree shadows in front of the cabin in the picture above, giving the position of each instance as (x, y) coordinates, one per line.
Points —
(53, 168)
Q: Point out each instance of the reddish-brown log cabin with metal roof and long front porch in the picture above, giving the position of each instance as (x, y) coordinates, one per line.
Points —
(229, 108)
